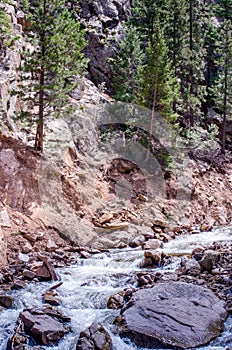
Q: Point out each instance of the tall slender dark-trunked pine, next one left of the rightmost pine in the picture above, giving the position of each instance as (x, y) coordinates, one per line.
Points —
(191, 62)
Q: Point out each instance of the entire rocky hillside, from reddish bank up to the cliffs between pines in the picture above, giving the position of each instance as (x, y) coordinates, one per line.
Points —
(81, 189)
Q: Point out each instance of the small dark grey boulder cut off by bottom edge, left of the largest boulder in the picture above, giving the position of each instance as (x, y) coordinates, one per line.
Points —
(95, 337)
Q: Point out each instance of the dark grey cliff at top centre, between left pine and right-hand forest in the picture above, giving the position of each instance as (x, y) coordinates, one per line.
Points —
(103, 19)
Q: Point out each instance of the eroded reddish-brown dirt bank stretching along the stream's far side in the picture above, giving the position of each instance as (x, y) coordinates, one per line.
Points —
(76, 200)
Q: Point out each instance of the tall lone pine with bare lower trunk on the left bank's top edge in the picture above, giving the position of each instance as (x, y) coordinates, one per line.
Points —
(51, 65)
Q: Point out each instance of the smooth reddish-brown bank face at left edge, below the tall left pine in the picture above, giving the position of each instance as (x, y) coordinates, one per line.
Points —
(18, 167)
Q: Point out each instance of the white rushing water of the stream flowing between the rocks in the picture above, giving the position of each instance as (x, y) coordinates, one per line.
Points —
(87, 286)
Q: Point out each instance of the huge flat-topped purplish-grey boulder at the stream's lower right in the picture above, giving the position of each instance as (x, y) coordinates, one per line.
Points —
(173, 314)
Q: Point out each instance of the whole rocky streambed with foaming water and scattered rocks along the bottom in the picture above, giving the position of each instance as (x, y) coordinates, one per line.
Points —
(96, 286)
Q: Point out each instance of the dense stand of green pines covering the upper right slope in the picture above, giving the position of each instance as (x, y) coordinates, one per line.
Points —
(176, 58)
